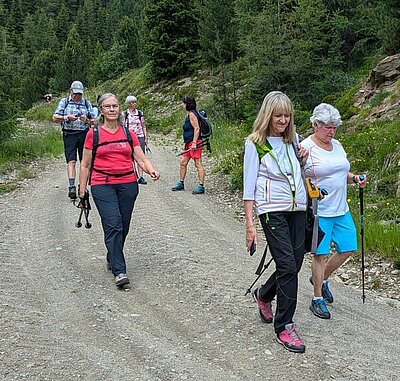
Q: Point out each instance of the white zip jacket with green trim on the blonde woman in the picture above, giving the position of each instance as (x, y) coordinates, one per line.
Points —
(266, 182)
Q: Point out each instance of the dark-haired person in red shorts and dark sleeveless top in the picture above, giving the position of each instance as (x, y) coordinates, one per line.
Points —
(191, 138)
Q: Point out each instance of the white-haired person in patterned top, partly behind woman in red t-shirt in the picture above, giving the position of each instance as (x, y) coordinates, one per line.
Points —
(134, 120)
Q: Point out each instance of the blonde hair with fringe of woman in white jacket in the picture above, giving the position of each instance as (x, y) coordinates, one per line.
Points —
(275, 101)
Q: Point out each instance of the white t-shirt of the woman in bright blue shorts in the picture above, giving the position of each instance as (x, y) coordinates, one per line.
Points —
(329, 170)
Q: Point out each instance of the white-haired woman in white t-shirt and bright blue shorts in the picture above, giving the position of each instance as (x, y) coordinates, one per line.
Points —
(329, 168)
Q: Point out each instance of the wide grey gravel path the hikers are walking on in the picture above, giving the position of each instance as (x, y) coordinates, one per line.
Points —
(185, 316)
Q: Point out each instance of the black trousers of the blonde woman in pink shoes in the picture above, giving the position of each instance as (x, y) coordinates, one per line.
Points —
(284, 232)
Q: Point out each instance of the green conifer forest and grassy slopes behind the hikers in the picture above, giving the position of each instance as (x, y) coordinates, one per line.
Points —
(228, 54)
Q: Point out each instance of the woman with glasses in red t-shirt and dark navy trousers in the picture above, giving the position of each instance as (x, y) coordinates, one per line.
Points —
(114, 184)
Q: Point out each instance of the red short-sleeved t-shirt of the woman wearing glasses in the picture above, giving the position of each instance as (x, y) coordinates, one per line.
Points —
(112, 158)
